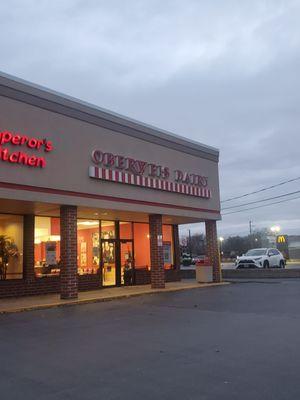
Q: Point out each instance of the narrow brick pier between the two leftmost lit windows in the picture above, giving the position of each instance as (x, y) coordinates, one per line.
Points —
(28, 247)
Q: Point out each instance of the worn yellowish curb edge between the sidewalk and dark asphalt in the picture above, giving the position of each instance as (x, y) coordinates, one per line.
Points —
(66, 303)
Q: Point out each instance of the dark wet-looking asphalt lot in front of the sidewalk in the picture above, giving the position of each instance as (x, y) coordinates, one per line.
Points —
(239, 341)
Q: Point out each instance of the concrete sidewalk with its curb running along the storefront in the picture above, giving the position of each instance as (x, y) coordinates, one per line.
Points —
(19, 304)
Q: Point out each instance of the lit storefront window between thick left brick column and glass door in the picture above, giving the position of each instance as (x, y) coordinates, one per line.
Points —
(88, 246)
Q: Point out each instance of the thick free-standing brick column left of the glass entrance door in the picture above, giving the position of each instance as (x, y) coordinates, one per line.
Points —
(68, 251)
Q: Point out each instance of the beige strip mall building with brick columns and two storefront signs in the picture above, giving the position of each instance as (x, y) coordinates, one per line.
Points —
(90, 199)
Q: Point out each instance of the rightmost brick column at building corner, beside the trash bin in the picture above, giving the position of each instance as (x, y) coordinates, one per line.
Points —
(212, 249)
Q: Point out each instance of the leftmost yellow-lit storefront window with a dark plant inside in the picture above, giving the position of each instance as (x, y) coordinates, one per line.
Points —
(11, 247)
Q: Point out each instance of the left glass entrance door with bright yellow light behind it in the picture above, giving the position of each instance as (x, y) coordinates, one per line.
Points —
(108, 262)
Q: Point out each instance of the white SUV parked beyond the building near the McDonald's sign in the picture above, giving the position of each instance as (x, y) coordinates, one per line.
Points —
(261, 258)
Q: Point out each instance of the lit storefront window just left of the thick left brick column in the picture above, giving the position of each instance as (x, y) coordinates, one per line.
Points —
(47, 246)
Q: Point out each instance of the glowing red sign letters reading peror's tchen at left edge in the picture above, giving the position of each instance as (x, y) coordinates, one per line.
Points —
(17, 140)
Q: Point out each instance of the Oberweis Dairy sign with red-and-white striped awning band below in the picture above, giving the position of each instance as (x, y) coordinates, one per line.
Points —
(117, 168)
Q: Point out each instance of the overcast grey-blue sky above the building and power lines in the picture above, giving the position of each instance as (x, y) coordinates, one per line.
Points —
(223, 72)
